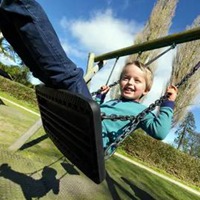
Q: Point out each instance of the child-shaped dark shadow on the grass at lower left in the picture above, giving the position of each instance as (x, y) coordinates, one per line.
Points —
(32, 188)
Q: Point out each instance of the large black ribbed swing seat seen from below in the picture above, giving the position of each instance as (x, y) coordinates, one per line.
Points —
(73, 123)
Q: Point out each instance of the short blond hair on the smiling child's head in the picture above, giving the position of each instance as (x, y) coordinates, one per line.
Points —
(145, 69)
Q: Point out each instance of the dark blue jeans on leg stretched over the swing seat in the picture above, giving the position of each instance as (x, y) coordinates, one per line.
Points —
(27, 28)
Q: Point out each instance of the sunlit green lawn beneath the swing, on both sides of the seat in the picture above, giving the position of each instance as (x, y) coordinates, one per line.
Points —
(123, 180)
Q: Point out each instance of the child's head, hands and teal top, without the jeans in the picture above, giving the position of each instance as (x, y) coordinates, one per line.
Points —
(135, 82)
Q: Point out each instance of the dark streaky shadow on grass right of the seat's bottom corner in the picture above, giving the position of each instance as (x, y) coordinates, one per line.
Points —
(137, 192)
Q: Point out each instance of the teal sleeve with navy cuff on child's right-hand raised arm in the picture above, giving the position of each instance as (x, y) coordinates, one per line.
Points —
(158, 126)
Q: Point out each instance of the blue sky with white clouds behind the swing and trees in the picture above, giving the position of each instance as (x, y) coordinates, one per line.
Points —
(102, 26)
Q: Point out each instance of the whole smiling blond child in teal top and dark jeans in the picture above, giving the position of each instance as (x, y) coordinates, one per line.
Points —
(26, 27)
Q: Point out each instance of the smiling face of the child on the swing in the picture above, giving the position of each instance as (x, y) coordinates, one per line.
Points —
(133, 83)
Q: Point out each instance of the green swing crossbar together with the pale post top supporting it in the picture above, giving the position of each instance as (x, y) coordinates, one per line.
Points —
(170, 40)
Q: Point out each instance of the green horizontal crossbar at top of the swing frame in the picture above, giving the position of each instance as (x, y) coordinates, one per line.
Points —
(177, 38)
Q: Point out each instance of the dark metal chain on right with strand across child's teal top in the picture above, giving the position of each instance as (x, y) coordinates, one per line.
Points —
(132, 125)
